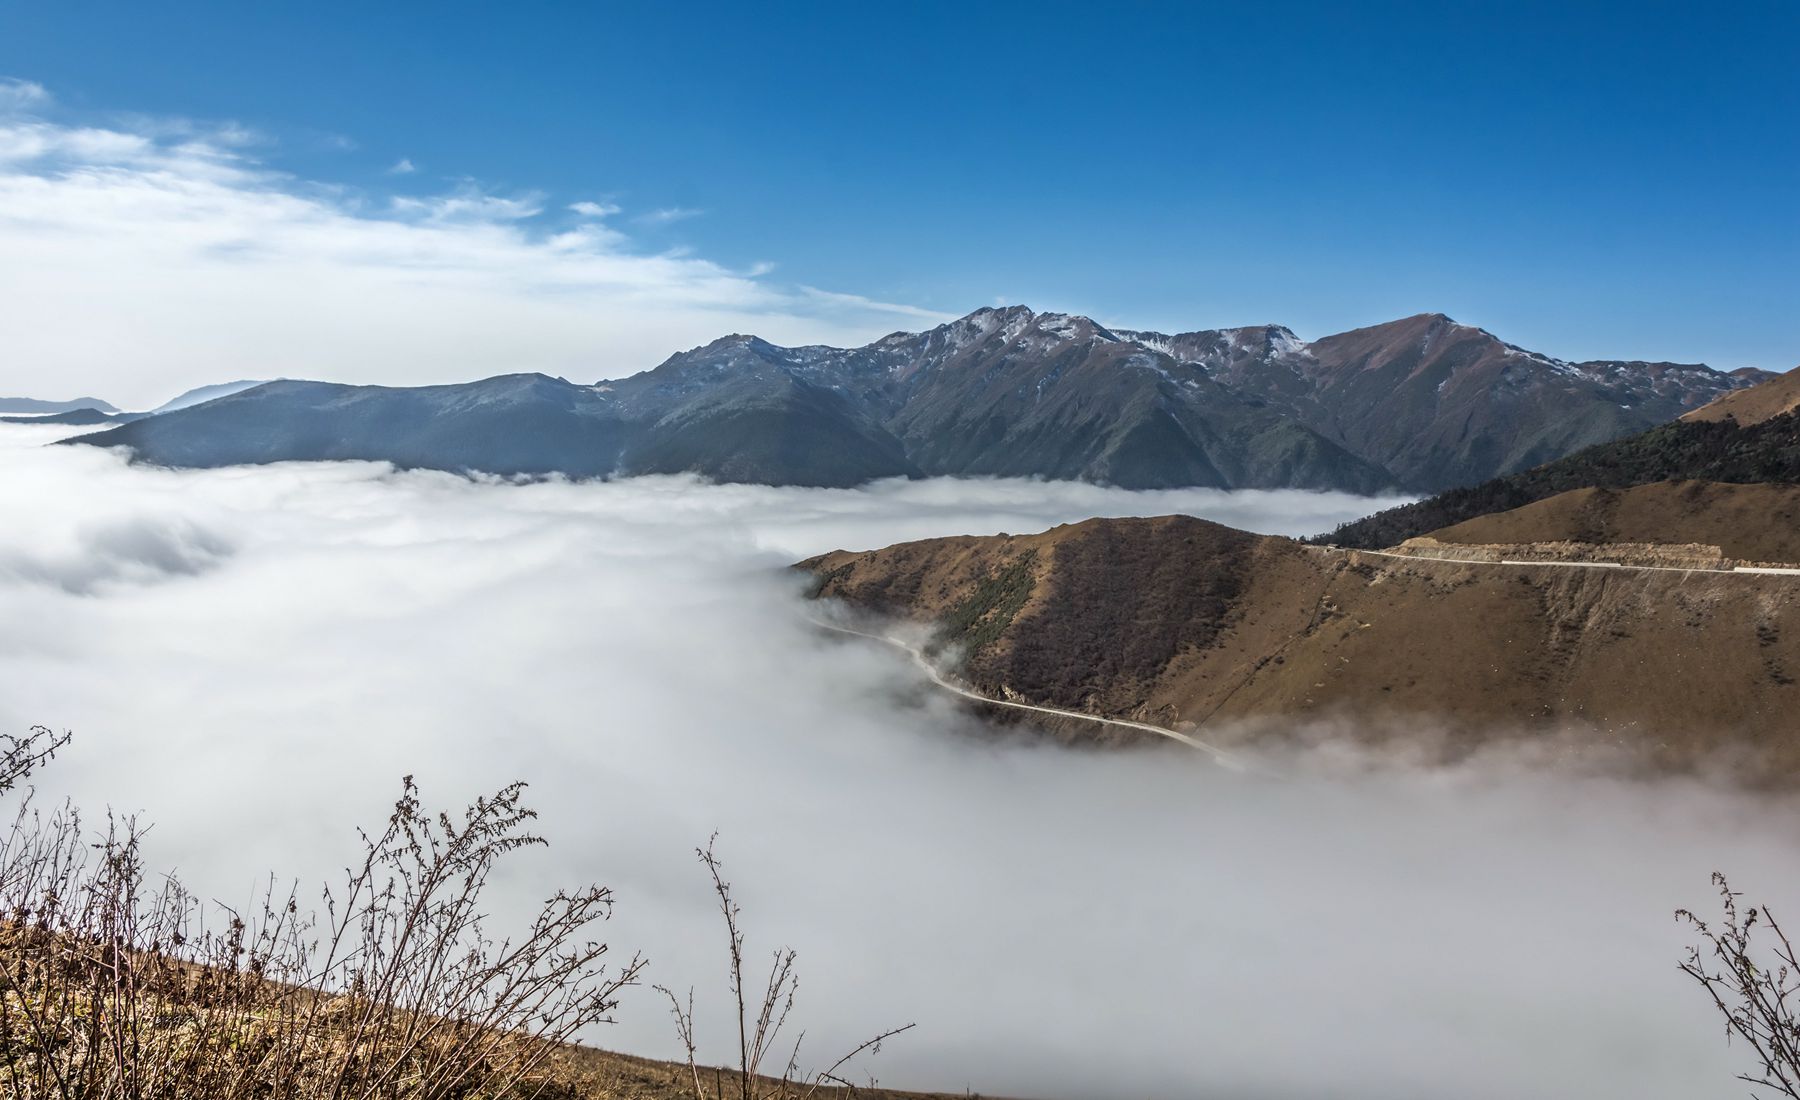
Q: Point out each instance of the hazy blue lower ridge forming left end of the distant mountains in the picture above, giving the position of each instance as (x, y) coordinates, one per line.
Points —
(528, 424)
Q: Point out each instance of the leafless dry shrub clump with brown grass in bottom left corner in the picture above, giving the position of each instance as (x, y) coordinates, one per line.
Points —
(114, 986)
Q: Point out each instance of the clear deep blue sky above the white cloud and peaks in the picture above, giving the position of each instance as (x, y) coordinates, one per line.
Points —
(1585, 179)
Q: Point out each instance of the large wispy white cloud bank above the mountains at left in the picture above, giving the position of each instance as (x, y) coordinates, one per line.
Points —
(157, 255)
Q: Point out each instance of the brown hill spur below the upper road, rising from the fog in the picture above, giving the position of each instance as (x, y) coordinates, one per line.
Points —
(1192, 626)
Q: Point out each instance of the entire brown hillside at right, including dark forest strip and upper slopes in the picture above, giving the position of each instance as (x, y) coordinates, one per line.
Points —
(1633, 599)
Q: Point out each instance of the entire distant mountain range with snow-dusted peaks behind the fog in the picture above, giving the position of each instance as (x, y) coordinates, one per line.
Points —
(1412, 404)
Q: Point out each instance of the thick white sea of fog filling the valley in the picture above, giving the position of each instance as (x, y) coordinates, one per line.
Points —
(253, 660)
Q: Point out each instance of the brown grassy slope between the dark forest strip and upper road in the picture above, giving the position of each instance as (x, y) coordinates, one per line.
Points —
(1750, 523)
